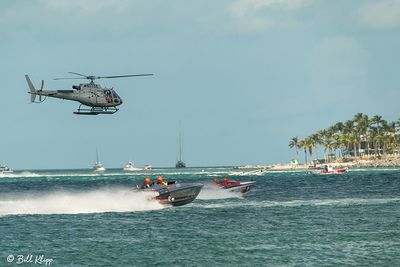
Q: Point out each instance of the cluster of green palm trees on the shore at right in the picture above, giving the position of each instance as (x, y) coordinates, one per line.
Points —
(360, 137)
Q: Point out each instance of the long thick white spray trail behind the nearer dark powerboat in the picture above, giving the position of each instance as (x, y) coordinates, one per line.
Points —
(66, 202)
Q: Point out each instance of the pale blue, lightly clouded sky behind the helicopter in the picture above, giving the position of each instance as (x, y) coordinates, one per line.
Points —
(242, 76)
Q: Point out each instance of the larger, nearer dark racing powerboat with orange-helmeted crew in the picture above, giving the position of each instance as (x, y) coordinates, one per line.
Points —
(174, 193)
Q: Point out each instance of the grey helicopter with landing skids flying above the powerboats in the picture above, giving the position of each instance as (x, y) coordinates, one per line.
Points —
(94, 98)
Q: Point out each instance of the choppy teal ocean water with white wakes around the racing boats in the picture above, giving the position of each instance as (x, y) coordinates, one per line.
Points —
(77, 218)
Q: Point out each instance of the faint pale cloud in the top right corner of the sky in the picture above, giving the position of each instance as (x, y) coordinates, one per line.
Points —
(384, 14)
